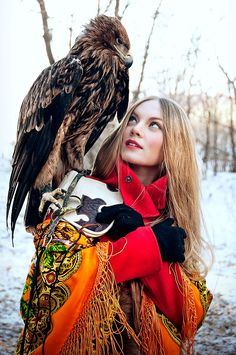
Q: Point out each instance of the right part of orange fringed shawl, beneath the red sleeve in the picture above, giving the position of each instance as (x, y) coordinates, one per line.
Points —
(158, 335)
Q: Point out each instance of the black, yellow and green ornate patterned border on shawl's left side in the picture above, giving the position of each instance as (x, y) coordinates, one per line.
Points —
(45, 291)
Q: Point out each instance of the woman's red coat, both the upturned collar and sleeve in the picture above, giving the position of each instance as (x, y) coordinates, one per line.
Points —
(138, 255)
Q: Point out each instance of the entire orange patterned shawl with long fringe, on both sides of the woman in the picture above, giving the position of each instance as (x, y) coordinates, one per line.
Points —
(71, 304)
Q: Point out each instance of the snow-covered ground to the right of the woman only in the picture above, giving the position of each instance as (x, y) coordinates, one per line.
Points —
(218, 333)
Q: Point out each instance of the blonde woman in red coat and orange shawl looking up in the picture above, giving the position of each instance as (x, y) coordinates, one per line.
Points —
(141, 288)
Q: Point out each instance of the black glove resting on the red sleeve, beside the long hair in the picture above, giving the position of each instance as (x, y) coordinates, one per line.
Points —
(170, 240)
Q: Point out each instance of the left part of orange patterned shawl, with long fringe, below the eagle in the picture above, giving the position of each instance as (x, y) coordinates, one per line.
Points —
(70, 301)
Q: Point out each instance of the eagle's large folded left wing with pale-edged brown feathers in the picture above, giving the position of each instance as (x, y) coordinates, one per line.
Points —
(41, 115)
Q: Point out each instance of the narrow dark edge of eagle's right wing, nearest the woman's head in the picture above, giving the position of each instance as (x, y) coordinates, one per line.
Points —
(108, 115)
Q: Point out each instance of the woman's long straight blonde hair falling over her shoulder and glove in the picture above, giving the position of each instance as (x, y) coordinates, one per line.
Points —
(180, 166)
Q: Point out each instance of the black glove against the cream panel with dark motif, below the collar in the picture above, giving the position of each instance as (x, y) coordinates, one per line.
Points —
(126, 220)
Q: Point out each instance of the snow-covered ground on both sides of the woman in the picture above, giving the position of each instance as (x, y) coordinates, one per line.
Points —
(217, 335)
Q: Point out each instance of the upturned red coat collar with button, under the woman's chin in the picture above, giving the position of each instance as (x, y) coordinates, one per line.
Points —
(147, 200)
